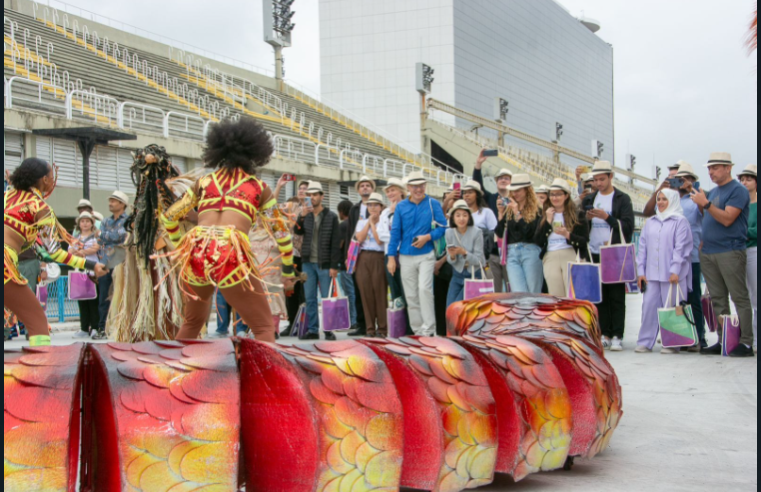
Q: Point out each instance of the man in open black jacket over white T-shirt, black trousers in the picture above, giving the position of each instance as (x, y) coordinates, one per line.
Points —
(609, 210)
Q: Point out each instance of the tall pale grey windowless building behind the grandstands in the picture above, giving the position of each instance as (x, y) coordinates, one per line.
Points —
(548, 65)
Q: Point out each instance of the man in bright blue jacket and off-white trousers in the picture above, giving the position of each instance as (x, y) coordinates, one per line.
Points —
(418, 223)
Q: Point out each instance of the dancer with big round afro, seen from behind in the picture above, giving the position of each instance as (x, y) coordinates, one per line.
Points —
(217, 253)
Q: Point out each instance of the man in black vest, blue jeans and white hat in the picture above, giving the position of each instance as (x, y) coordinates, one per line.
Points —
(321, 255)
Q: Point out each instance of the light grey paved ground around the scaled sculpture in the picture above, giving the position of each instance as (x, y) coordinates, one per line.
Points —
(690, 425)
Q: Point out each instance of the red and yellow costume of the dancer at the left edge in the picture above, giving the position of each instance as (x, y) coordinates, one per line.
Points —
(27, 214)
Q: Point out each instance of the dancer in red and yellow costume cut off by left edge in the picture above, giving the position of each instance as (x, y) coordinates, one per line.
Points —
(29, 221)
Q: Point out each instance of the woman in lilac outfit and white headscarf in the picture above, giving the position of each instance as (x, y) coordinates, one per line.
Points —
(663, 262)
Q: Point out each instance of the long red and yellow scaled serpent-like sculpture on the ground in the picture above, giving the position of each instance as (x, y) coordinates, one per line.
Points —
(522, 387)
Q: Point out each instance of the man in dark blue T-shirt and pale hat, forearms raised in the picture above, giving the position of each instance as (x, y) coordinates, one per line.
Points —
(724, 255)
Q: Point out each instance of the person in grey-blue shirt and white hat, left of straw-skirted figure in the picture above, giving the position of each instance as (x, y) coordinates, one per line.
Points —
(112, 252)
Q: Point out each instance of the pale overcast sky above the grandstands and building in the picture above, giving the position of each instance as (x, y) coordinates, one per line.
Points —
(685, 85)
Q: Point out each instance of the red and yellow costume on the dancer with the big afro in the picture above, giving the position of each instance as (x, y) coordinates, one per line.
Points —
(221, 256)
